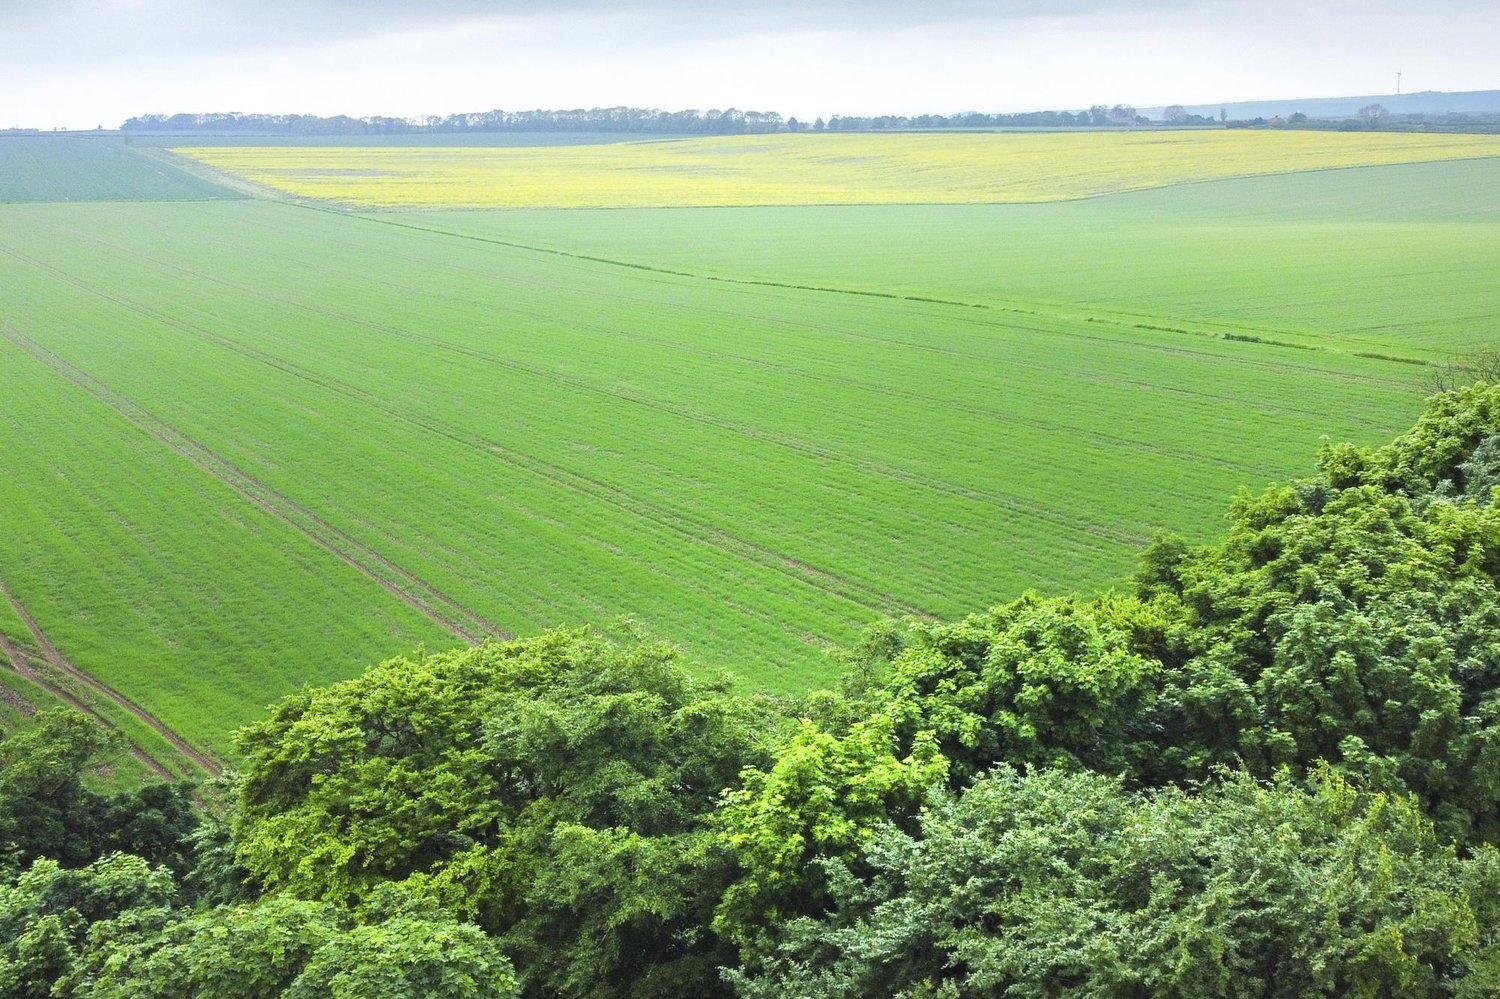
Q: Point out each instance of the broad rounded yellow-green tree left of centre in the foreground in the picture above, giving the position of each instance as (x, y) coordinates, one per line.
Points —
(559, 791)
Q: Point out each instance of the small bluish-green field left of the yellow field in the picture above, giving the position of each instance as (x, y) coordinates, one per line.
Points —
(76, 169)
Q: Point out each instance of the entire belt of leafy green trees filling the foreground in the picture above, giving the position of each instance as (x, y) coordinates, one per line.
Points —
(1267, 767)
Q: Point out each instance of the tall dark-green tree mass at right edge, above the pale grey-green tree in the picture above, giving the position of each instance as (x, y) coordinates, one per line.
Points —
(1352, 619)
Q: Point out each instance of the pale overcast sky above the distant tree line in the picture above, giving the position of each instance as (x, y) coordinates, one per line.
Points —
(79, 64)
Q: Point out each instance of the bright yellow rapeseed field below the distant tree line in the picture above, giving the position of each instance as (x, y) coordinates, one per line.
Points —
(824, 169)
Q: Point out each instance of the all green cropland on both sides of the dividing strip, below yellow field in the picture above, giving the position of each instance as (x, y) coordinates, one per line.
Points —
(253, 446)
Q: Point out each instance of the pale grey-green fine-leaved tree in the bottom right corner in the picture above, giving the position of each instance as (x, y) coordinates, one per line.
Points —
(1067, 886)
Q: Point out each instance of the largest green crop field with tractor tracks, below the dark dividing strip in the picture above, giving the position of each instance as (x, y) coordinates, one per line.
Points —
(268, 446)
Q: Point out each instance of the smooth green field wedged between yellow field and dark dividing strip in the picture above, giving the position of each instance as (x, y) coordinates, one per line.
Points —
(1399, 260)
